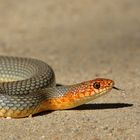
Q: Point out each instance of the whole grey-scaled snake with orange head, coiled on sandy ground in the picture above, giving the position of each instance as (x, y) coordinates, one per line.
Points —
(28, 87)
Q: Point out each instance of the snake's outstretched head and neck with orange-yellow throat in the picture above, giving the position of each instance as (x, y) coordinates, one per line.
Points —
(79, 94)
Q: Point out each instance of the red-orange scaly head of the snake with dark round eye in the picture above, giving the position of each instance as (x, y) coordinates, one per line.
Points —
(93, 88)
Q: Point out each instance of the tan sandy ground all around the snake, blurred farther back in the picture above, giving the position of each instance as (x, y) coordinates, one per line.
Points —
(81, 40)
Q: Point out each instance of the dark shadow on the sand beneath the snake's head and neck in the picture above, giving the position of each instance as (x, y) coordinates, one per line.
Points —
(96, 106)
